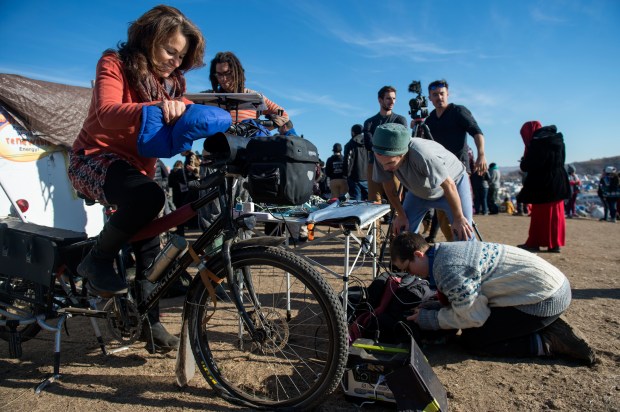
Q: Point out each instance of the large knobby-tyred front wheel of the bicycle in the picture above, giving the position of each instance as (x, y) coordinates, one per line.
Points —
(300, 351)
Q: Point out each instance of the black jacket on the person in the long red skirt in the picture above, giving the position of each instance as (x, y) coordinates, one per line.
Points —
(546, 178)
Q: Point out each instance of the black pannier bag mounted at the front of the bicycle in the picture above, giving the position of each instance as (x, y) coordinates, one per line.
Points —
(281, 169)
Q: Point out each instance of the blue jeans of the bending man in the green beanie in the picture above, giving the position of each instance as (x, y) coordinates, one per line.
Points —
(416, 207)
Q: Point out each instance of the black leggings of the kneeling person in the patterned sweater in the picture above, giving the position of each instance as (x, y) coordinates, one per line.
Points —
(507, 332)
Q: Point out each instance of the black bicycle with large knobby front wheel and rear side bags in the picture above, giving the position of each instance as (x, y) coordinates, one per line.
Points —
(266, 330)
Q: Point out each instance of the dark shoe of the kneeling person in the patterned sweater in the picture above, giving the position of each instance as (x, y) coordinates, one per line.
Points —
(560, 338)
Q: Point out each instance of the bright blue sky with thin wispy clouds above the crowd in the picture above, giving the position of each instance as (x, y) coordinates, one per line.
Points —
(324, 61)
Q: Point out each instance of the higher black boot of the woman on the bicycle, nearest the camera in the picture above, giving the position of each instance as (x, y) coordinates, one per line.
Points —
(102, 278)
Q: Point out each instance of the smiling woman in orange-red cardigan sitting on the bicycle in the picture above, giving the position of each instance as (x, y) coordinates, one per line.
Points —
(147, 69)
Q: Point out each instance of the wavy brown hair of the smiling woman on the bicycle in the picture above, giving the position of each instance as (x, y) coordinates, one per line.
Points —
(148, 32)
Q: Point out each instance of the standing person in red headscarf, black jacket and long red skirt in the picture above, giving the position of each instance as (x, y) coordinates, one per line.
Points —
(545, 186)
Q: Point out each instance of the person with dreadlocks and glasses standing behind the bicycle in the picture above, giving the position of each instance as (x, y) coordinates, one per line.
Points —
(228, 76)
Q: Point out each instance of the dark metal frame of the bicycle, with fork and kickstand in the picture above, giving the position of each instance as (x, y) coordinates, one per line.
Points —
(68, 303)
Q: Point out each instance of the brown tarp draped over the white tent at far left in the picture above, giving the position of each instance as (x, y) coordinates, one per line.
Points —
(51, 111)
